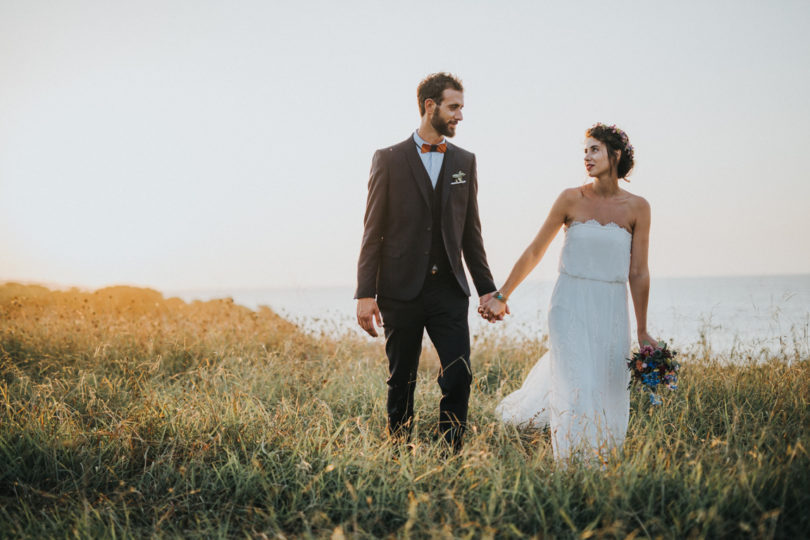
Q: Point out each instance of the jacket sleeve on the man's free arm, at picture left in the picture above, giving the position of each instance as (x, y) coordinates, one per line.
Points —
(373, 227)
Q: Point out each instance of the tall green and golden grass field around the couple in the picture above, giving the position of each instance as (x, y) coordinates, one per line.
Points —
(124, 414)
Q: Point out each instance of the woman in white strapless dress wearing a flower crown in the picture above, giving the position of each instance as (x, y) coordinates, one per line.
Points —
(579, 387)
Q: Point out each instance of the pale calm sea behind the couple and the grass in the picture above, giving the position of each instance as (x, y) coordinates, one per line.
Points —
(741, 315)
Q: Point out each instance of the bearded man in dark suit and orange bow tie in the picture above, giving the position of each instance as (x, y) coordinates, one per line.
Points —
(421, 216)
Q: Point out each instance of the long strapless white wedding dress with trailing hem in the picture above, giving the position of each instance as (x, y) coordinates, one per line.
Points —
(579, 387)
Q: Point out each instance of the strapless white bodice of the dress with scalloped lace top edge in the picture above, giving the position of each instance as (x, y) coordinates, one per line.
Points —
(595, 251)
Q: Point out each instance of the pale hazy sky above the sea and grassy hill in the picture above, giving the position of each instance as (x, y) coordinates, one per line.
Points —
(200, 144)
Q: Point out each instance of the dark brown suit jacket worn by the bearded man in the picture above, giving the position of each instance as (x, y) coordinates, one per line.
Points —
(396, 240)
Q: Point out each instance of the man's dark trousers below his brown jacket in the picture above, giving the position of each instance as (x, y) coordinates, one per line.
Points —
(441, 309)
